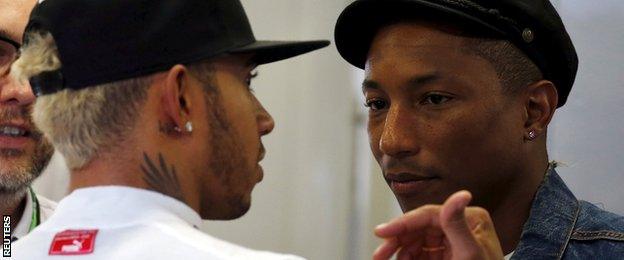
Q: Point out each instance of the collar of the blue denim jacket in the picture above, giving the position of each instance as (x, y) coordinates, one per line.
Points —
(551, 220)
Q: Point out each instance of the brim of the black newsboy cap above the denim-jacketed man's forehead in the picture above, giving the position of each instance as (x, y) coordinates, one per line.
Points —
(359, 23)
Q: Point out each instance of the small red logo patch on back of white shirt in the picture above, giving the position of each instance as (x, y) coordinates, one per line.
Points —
(73, 242)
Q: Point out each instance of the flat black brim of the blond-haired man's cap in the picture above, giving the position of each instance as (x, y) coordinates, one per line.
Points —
(271, 51)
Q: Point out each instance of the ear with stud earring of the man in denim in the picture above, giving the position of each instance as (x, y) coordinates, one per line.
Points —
(540, 104)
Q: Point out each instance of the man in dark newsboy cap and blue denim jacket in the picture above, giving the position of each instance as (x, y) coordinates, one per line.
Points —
(460, 95)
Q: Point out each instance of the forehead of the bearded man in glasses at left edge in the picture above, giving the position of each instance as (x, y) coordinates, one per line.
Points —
(14, 17)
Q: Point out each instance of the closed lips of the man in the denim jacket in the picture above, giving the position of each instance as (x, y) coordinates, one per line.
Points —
(409, 183)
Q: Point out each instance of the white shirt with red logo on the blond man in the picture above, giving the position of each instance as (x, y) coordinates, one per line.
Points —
(132, 224)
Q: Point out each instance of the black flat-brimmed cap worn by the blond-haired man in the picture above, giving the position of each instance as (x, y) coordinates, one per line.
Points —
(102, 41)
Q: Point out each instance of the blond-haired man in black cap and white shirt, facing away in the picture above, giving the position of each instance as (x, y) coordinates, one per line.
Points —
(150, 104)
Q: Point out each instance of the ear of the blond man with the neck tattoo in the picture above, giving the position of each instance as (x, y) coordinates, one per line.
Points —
(175, 96)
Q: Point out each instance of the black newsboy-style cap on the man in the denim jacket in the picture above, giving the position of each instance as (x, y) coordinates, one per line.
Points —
(531, 25)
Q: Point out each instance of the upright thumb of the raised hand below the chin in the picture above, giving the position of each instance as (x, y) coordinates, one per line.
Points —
(454, 224)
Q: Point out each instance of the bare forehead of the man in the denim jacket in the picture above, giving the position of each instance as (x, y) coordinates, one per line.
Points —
(403, 51)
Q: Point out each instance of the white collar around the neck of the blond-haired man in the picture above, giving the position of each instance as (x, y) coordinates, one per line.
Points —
(115, 206)
